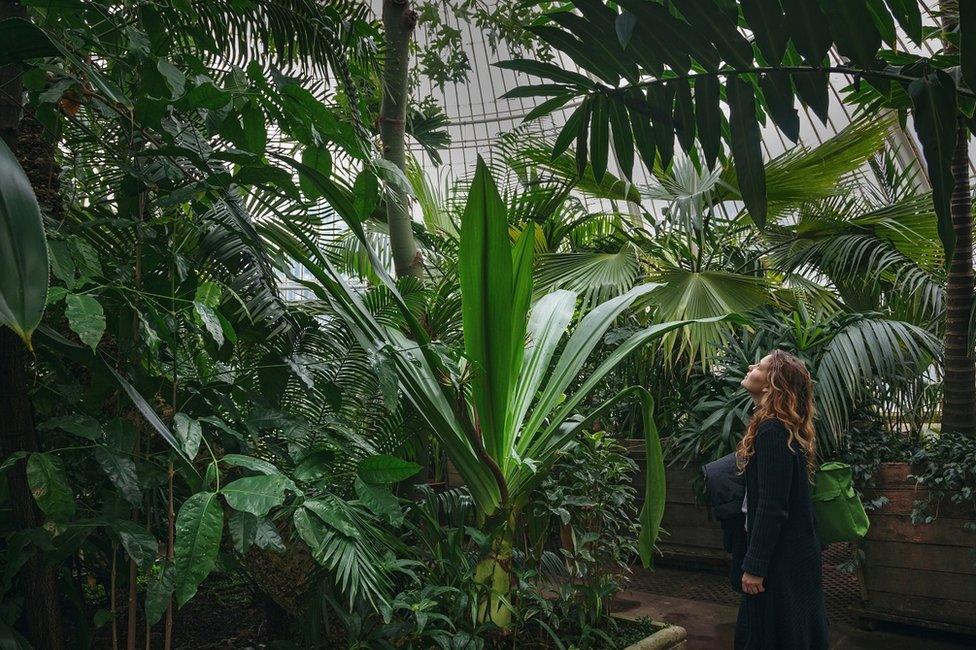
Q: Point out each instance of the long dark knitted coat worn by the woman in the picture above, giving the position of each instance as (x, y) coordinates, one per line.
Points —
(780, 545)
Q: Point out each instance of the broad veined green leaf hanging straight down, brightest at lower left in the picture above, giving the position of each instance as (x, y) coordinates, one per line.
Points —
(199, 526)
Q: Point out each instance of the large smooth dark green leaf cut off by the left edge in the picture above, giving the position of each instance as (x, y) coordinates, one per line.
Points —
(23, 250)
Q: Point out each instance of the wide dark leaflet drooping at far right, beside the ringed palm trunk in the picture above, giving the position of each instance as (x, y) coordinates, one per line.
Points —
(934, 99)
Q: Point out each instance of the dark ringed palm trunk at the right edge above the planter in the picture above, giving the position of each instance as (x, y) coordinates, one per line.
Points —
(959, 406)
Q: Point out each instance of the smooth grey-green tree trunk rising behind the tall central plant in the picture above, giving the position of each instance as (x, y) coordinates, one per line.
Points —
(399, 21)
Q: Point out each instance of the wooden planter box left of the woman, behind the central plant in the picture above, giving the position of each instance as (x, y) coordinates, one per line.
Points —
(690, 535)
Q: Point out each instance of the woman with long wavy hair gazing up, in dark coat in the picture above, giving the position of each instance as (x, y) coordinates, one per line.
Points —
(782, 606)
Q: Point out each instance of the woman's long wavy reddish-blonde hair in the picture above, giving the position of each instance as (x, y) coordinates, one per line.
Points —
(789, 400)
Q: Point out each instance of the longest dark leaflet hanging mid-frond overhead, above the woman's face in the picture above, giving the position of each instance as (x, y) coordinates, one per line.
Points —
(747, 148)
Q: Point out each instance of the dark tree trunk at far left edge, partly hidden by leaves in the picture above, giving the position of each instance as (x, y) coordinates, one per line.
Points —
(42, 611)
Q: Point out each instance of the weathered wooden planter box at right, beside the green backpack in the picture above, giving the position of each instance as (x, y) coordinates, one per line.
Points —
(921, 574)
